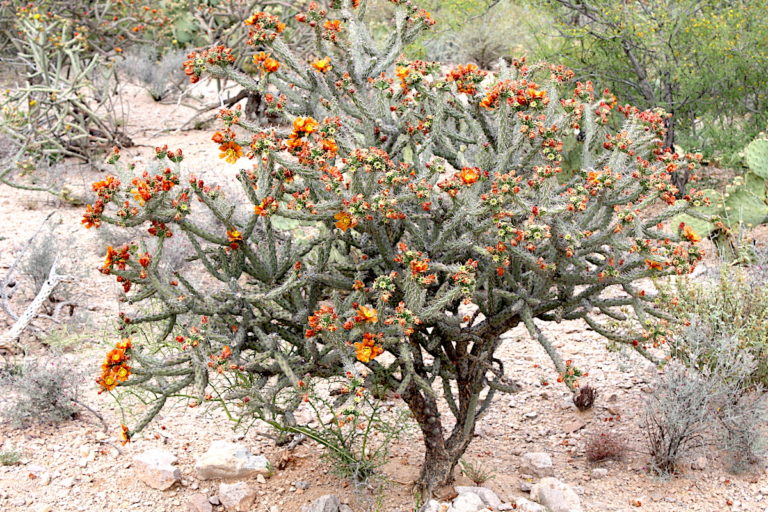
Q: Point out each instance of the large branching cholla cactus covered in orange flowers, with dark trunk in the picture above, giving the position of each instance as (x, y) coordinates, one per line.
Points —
(405, 219)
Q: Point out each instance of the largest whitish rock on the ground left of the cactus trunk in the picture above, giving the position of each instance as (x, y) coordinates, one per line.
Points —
(230, 461)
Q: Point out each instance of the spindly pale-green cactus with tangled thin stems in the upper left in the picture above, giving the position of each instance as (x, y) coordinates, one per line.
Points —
(64, 106)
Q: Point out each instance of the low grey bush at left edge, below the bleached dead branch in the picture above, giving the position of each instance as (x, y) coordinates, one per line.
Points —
(42, 389)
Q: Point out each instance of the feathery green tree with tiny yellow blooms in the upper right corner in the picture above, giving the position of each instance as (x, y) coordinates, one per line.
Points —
(697, 59)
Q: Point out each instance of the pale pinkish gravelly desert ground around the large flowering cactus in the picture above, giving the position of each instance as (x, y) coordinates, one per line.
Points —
(524, 440)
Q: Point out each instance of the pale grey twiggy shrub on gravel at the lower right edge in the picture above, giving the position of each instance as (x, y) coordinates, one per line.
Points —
(706, 397)
